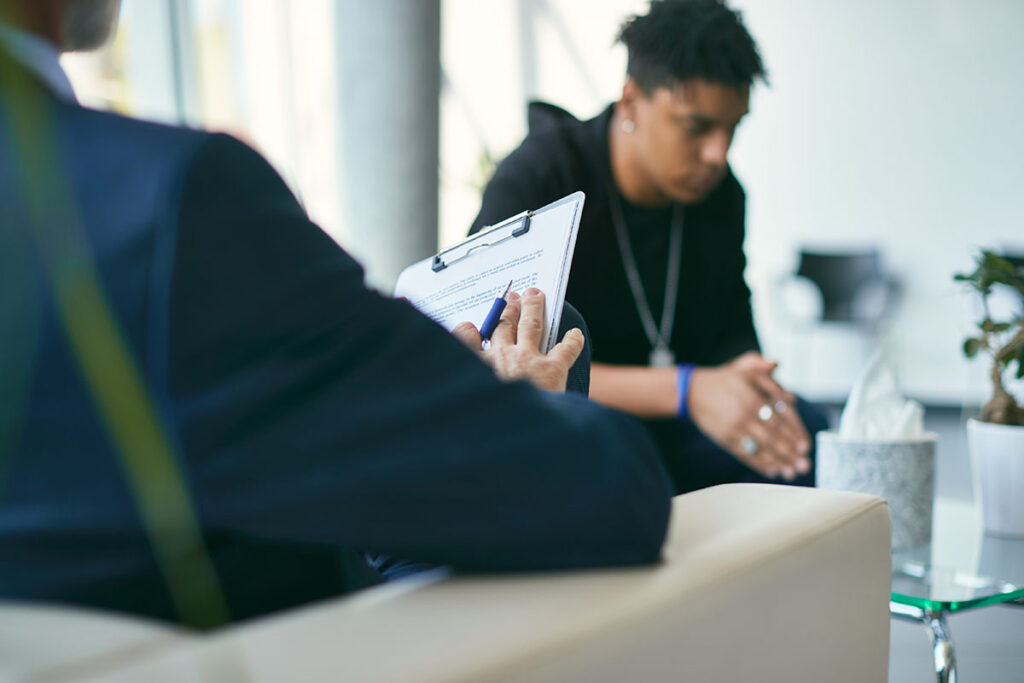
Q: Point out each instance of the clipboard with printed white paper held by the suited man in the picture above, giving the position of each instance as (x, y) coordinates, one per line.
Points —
(532, 249)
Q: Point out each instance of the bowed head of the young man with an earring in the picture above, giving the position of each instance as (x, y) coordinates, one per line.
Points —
(692, 65)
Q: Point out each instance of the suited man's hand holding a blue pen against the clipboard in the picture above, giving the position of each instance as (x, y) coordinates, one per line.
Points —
(516, 347)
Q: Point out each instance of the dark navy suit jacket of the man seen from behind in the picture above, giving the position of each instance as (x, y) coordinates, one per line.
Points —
(311, 417)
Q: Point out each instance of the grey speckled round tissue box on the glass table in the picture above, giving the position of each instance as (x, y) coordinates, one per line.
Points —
(901, 472)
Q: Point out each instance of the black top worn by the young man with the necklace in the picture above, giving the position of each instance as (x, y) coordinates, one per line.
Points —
(713, 324)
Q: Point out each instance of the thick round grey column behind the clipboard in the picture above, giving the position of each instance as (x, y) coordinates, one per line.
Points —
(389, 65)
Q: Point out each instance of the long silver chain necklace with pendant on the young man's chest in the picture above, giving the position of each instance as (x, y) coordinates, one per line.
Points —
(658, 336)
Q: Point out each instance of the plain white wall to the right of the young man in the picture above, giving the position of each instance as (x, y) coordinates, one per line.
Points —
(895, 124)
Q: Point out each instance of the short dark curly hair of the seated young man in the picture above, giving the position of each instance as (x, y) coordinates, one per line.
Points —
(678, 40)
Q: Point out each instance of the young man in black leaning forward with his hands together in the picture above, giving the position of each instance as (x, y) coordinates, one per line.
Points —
(659, 267)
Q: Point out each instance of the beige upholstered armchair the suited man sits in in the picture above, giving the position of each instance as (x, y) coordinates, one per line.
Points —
(759, 583)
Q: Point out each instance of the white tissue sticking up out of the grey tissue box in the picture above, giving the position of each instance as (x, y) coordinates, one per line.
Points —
(877, 409)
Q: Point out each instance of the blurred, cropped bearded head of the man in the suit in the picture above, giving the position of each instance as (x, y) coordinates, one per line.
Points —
(71, 25)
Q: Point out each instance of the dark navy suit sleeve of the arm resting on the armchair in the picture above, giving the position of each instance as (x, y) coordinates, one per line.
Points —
(315, 411)
